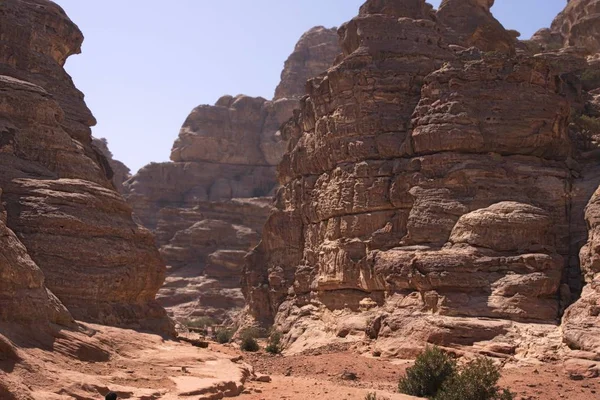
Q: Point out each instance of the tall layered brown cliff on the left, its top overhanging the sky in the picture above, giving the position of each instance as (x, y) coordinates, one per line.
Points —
(65, 227)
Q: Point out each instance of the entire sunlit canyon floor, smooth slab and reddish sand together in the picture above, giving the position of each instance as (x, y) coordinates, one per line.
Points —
(87, 364)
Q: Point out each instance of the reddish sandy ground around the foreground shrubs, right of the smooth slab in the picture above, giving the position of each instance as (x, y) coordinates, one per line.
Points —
(323, 374)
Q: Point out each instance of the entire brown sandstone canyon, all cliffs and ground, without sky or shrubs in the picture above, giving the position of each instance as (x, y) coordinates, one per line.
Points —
(420, 178)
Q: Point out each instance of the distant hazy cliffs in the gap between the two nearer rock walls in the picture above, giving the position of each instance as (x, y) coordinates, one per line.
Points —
(207, 207)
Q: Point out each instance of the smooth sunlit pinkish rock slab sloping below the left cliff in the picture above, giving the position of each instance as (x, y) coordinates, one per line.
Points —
(81, 365)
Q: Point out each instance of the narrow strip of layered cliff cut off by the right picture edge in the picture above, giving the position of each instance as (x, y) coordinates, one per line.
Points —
(576, 29)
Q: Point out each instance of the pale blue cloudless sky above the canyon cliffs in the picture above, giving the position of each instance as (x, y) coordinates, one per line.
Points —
(147, 63)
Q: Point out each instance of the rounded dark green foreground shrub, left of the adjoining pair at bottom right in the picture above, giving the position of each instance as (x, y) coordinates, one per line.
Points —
(424, 379)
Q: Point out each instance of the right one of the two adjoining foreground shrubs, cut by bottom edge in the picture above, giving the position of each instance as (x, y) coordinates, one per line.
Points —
(477, 380)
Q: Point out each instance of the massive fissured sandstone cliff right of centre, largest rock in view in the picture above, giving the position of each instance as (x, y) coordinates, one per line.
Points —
(431, 192)
